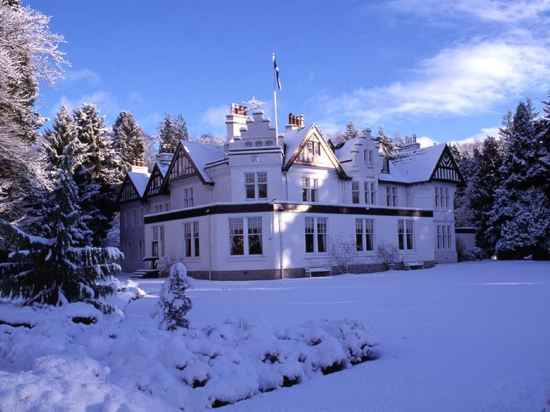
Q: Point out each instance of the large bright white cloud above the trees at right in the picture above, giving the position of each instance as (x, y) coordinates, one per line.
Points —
(464, 79)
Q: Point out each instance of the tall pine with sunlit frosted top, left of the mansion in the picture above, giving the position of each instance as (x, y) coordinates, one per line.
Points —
(97, 174)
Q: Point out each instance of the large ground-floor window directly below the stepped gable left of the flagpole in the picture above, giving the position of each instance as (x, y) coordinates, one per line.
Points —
(251, 243)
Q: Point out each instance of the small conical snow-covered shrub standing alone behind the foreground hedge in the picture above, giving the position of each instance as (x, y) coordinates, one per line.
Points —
(174, 304)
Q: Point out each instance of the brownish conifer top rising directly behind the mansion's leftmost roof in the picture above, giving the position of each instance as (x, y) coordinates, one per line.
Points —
(128, 141)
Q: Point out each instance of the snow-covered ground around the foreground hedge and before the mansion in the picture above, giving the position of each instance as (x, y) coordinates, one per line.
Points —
(460, 337)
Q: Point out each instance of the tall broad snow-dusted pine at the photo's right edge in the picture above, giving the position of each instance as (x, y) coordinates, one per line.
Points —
(516, 199)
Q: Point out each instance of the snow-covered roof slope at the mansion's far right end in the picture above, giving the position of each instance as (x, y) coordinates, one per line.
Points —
(415, 166)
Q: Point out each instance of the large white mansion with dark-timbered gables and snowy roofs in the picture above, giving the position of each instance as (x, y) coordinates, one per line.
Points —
(265, 206)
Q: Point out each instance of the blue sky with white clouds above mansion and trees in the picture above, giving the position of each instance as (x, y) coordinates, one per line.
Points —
(445, 70)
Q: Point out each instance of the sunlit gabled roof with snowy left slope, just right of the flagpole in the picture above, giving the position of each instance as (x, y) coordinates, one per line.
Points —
(295, 140)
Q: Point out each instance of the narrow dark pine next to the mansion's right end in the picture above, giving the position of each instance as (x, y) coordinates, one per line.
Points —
(484, 182)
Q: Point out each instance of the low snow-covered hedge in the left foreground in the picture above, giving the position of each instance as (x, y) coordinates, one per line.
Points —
(120, 362)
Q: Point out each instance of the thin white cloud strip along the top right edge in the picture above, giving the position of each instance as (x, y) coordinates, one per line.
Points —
(488, 10)
